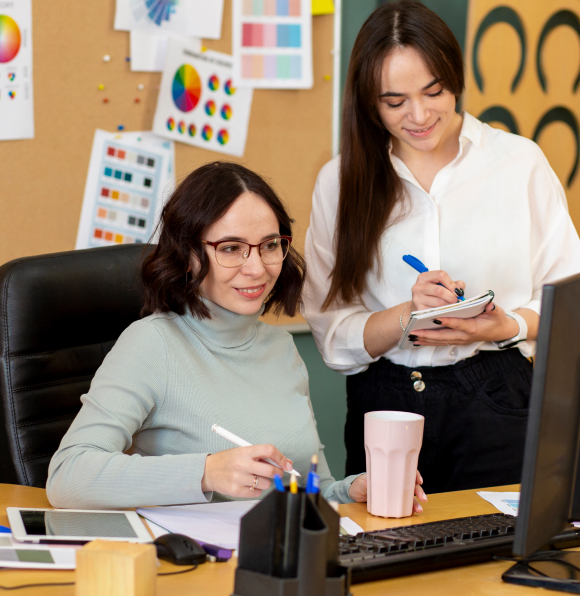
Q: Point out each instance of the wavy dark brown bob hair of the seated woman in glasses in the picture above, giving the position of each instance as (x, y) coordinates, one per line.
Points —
(201, 199)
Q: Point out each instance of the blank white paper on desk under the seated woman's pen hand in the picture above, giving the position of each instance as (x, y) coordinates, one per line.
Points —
(216, 523)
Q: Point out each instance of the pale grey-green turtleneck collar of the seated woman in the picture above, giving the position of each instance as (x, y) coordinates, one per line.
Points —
(226, 329)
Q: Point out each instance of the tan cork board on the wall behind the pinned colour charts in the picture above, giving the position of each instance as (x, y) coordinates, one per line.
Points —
(42, 180)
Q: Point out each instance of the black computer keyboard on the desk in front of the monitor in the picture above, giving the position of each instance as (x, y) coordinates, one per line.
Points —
(428, 547)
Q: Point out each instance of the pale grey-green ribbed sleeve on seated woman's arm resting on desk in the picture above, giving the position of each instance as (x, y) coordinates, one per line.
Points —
(90, 469)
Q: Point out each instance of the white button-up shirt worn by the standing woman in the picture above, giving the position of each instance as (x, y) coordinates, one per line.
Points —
(496, 217)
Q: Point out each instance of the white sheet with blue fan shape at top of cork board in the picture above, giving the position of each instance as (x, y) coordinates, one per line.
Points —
(199, 18)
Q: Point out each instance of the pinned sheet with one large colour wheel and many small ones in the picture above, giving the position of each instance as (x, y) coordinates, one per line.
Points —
(198, 103)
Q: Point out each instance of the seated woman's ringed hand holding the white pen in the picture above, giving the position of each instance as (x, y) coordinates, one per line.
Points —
(233, 472)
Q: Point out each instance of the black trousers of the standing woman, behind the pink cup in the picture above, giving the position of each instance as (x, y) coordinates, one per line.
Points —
(475, 417)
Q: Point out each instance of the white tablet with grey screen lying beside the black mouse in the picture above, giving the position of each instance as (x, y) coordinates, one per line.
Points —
(75, 526)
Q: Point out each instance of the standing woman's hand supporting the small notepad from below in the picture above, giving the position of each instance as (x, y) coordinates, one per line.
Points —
(491, 325)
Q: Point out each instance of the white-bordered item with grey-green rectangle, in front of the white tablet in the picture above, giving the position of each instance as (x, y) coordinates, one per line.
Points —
(22, 555)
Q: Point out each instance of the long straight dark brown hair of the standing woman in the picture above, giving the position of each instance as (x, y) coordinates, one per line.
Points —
(369, 186)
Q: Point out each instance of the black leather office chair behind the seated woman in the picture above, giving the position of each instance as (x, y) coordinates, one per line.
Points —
(60, 314)
